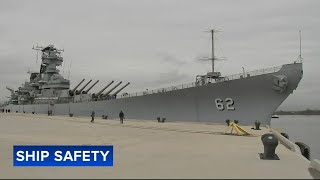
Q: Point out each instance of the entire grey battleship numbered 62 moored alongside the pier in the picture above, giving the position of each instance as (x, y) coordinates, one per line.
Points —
(211, 98)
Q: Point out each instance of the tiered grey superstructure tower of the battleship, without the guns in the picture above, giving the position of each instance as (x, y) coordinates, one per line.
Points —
(45, 85)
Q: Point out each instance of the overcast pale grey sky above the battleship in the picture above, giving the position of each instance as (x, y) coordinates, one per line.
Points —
(155, 44)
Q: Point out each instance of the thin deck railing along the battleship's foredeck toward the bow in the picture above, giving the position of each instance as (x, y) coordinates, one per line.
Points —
(193, 84)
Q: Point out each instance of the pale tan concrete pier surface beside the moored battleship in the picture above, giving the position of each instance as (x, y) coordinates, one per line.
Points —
(147, 149)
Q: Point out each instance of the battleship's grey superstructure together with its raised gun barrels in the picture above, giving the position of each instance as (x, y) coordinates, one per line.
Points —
(48, 86)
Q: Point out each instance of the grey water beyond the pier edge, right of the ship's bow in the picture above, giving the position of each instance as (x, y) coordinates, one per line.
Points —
(303, 128)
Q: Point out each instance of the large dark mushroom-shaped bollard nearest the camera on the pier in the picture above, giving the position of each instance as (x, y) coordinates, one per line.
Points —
(270, 142)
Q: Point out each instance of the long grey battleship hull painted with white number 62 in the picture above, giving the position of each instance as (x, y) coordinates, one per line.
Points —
(244, 99)
